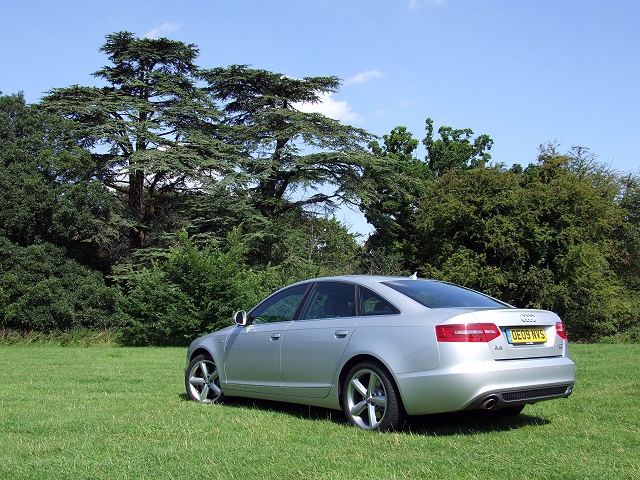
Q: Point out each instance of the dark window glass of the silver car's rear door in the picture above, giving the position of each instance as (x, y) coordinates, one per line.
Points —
(331, 300)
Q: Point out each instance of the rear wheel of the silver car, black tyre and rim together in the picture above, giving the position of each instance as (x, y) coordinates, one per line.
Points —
(370, 399)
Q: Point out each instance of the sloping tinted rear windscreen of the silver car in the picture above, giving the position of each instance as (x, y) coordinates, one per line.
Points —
(434, 294)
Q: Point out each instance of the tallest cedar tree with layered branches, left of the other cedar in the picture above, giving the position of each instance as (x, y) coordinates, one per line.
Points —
(153, 122)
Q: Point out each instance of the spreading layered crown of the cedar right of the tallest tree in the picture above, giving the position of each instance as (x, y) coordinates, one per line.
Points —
(283, 149)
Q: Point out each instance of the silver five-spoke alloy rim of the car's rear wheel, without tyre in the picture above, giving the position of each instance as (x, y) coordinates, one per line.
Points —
(366, 398)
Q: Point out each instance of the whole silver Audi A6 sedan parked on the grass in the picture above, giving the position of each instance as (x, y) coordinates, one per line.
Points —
(381, 348)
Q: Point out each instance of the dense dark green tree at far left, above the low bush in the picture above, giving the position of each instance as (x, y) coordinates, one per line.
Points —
(44, 195)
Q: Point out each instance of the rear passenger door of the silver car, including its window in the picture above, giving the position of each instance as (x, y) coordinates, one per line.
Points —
(313, 344)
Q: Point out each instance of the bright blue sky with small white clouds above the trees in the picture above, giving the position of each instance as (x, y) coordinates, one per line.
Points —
(523, 72)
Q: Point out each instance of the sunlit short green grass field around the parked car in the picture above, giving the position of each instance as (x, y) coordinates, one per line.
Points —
(112, 412)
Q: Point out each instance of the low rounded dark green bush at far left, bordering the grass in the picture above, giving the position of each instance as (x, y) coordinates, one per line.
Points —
(42, 289)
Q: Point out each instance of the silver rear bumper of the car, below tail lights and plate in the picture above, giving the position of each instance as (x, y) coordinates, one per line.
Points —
(467, 386)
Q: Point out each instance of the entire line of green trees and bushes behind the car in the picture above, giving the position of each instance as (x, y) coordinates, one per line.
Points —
(162, 202)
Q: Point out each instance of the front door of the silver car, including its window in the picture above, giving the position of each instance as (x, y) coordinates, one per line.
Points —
(252, 353)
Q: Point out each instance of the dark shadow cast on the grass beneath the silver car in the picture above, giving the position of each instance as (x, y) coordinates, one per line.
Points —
(437, 425)
